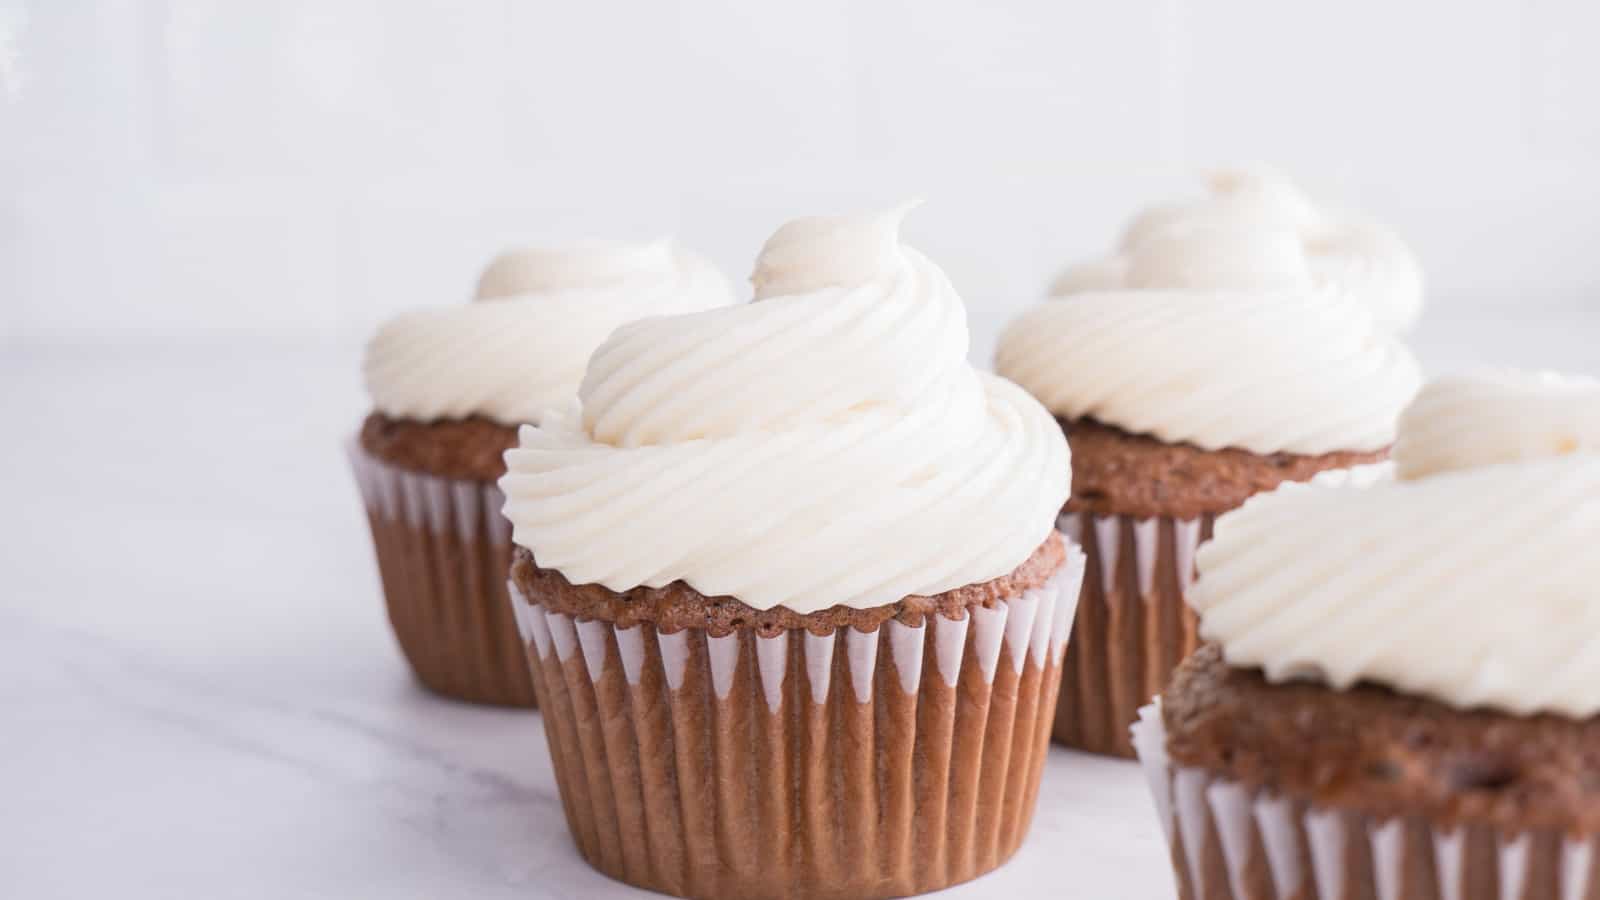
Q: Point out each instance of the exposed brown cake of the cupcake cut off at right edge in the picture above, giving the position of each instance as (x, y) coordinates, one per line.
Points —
(1383, 753)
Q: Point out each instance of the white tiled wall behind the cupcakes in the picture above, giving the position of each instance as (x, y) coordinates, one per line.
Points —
(300, 171)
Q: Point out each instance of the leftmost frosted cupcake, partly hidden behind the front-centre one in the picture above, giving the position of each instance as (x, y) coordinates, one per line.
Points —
(450, 387)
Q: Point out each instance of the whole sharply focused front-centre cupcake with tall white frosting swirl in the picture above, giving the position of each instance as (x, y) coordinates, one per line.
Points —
(793, 587)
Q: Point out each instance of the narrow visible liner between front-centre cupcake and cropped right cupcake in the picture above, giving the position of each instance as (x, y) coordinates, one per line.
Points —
(1134, 625)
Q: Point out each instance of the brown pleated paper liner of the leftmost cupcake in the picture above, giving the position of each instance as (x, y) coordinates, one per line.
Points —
(444, 552)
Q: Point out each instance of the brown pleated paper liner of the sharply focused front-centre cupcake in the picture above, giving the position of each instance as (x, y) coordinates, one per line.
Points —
(852, 765)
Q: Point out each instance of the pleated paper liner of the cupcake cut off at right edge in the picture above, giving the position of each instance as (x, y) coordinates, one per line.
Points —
(1238, 843)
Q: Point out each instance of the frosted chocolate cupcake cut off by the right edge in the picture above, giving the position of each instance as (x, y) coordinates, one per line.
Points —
(1401, 694)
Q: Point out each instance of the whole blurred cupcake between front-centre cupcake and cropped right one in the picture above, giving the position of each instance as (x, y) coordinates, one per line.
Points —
(1220, 366)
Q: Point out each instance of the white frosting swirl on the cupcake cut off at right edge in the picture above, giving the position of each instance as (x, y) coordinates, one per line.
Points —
(1473, 582)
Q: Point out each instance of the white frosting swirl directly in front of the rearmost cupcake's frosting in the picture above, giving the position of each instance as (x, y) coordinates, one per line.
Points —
(1222, 340)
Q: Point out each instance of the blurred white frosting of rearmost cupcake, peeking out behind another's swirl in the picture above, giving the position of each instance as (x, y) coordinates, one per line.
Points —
(1346, 255)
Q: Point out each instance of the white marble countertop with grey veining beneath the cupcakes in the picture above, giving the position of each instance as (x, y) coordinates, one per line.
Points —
(199, 696)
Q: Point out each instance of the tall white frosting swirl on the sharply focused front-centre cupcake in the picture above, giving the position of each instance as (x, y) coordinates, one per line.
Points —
(828, 444)
